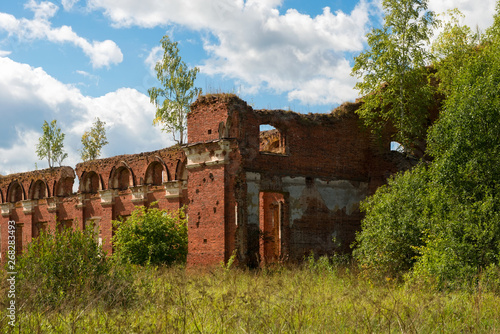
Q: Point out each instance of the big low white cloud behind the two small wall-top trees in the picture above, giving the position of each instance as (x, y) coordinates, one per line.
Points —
(36, 96)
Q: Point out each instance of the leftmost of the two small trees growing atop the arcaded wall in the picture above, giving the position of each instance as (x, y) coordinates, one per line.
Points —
(50, 145)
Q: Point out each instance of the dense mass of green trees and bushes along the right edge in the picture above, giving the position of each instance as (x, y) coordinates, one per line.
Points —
(439, 224)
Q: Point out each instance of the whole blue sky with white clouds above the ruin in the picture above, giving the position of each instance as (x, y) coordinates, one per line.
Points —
(74, 60)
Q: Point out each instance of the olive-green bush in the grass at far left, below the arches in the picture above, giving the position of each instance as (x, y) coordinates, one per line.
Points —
(60, 266)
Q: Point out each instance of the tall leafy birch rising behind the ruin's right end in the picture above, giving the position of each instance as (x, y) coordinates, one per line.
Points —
(393, 71)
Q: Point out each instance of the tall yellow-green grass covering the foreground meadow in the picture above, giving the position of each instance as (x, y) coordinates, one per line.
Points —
(317, 297)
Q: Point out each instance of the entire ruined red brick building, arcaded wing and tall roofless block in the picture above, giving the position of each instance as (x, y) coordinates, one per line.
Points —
(265, 195)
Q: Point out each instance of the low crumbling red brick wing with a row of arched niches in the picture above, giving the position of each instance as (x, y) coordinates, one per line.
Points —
(109, 189)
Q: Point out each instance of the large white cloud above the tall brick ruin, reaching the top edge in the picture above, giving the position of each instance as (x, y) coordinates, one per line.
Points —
(257, 46)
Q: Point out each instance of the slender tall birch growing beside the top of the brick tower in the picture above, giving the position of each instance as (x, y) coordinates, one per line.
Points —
(177, 91)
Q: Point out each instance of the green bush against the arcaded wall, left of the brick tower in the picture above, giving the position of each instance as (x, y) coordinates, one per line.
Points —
(151, 236)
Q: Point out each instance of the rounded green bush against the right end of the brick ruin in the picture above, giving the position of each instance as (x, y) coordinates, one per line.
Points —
(395, 224)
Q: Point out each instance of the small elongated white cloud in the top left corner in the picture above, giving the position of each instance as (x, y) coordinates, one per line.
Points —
(101, 53)
